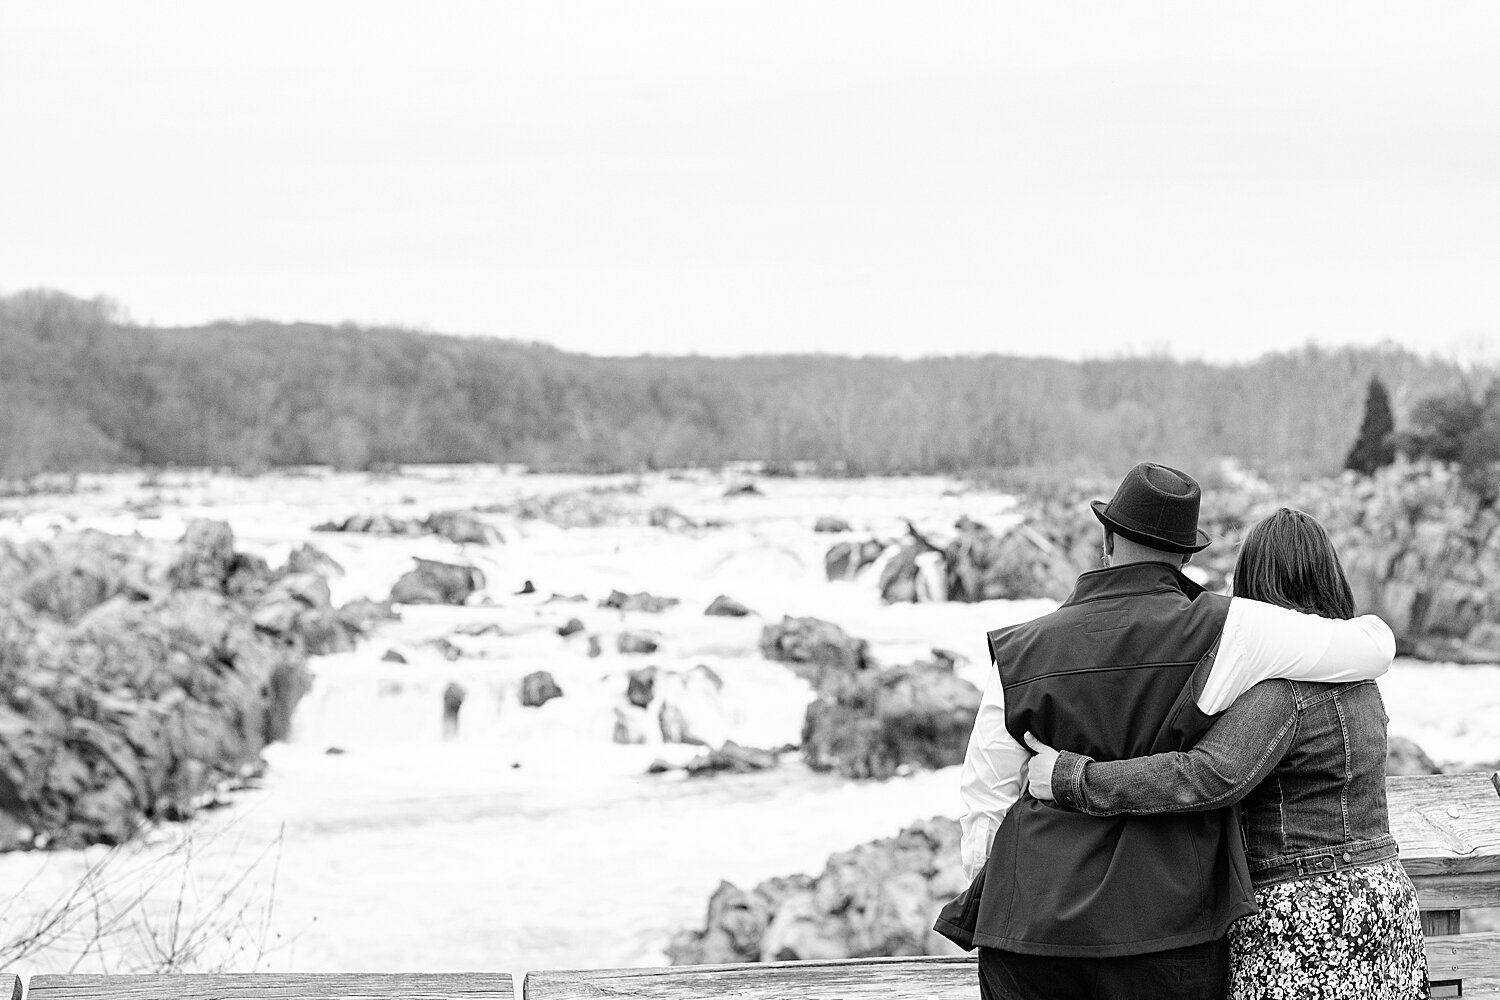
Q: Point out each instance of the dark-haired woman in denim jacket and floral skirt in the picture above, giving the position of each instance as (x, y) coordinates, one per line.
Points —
(1339, 915)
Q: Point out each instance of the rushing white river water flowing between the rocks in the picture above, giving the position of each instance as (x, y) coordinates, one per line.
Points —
(532, 840)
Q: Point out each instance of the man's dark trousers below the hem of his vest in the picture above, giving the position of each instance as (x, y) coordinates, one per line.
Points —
(1199, 971)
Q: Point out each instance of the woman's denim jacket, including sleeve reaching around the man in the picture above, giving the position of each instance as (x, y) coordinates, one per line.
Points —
(1307, 762)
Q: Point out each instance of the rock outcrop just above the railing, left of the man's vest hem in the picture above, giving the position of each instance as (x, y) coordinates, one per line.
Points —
(875, 900)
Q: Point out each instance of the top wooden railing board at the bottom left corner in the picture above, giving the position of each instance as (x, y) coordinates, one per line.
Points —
(277, 987)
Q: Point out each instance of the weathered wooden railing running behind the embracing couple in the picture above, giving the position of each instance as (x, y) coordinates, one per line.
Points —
(1448, 828)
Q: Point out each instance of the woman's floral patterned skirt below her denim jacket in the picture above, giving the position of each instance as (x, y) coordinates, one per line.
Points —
(1351, 933)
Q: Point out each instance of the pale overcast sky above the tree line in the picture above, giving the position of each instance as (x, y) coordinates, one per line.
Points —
(857, 178)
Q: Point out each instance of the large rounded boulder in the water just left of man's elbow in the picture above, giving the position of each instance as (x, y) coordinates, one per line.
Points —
(875, 723)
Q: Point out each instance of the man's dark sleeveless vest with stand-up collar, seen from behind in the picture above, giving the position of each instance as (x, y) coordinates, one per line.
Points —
(1111, 675)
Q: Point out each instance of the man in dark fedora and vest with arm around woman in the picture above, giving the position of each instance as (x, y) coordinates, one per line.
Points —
(1136, 662)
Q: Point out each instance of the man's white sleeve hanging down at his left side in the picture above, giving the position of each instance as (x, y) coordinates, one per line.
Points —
(991, 780)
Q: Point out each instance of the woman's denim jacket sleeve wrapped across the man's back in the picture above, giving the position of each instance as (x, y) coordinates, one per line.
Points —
(1241, 749)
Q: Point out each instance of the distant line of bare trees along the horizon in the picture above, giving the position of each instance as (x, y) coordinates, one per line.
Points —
(82, 388)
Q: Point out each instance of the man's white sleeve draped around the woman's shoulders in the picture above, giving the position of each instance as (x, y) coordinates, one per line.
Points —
(1264, 642)
